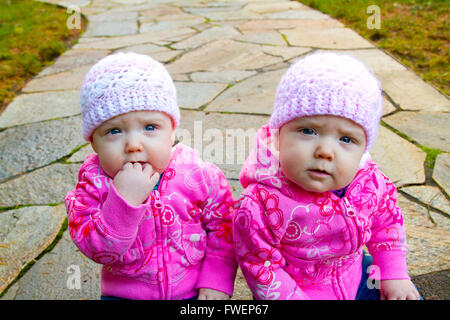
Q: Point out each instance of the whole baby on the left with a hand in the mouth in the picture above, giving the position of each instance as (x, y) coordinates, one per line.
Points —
(155, 216)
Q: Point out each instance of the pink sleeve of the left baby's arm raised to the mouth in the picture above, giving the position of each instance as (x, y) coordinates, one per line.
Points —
(101, 223)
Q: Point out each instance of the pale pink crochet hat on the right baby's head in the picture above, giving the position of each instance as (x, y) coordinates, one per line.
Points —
(326, 83)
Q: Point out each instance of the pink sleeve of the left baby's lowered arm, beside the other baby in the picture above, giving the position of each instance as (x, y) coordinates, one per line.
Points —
(219, 265)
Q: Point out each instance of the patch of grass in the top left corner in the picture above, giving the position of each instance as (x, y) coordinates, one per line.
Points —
(32, 35)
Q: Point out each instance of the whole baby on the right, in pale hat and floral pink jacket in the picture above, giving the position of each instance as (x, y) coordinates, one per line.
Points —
(313, 197)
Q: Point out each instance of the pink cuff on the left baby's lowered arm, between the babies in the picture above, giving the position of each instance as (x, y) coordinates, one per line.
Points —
(217, 274)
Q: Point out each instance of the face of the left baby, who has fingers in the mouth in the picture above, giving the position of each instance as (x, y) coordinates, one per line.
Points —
(138, 136)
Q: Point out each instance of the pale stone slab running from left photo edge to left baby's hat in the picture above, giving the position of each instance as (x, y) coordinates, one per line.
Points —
(34, 107)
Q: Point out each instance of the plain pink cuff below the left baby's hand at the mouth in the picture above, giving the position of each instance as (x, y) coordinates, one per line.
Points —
(121, 218)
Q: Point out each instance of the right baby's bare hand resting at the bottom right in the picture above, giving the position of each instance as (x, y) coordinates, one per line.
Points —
(398, 290)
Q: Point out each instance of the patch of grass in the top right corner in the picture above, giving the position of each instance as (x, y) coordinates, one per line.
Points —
(416, 32)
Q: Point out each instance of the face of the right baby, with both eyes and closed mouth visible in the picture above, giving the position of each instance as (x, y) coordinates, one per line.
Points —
(321, 153)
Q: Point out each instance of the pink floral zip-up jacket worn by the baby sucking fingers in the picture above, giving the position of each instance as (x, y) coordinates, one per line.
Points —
(177, 241)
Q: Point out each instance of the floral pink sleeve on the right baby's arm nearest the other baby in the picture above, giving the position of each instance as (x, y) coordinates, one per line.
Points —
(257, 245)
